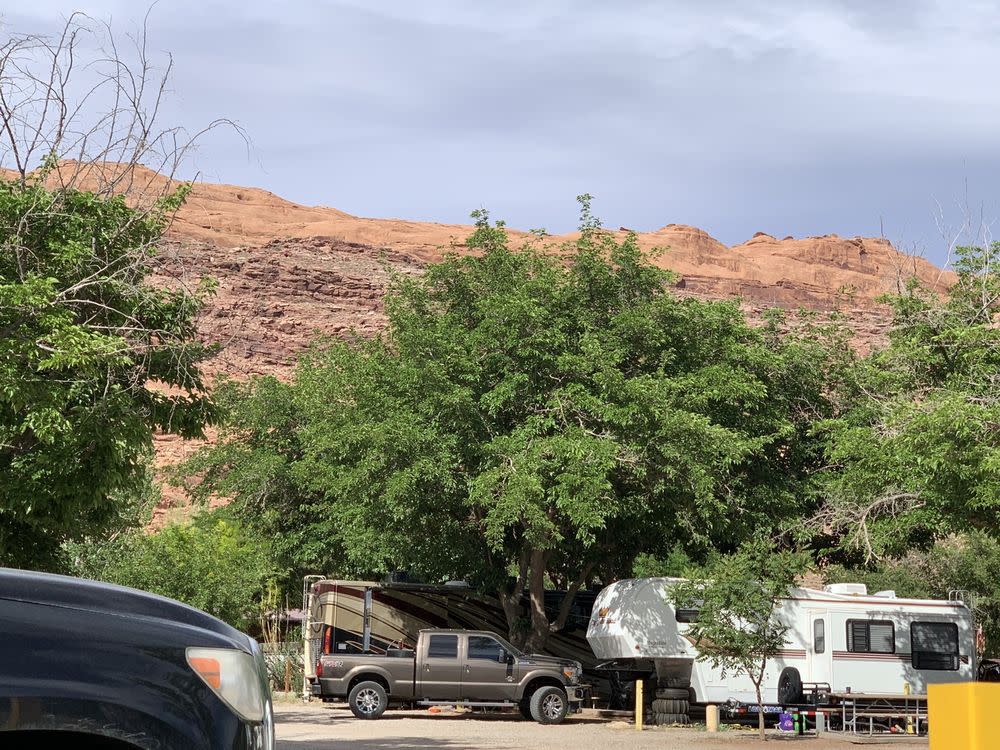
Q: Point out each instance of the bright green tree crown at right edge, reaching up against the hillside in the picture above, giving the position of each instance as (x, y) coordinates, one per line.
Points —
(917, 455)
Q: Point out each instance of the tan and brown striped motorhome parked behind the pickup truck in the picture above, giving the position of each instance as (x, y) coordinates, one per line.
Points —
(365, 617)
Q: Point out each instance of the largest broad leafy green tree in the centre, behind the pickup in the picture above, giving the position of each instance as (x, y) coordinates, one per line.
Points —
(531, 418)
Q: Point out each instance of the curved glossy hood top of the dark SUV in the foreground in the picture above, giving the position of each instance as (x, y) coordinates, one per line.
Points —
(77, 593)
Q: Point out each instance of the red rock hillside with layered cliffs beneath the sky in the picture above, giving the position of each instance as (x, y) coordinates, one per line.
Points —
(287, 272)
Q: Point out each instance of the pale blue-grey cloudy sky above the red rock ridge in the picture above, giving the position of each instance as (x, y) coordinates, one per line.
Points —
(737, 116)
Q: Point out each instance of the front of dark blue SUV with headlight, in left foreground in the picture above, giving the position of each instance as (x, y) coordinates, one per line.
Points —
(90, 665)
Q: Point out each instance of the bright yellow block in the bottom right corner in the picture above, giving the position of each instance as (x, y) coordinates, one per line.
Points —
(960, 715)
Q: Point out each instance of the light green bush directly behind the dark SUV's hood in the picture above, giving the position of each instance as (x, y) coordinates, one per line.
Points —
(209, 562)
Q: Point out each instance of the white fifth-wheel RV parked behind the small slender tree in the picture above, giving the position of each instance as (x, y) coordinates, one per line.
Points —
(840, 638)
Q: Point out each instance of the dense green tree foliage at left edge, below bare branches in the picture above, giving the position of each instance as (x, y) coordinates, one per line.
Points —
(92, 359)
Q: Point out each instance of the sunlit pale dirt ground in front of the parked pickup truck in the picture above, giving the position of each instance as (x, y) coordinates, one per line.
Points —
(319, 727)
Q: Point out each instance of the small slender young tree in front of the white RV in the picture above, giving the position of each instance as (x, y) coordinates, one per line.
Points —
(737, 596)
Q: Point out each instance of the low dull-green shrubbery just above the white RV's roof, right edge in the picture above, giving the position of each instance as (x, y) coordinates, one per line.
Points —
(967, 562)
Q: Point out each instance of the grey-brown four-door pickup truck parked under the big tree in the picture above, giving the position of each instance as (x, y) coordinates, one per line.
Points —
(472, 667)
